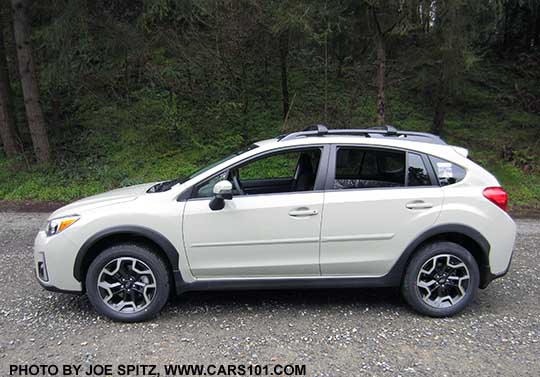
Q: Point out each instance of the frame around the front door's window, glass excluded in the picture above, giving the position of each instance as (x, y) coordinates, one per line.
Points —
(320, 178)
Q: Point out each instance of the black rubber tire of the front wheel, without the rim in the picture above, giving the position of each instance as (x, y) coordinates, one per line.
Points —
(151, 260)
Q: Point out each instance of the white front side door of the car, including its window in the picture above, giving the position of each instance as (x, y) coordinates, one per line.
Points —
(271, 227)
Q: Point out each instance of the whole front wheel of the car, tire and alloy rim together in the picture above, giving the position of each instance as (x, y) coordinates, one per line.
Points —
(128, 273)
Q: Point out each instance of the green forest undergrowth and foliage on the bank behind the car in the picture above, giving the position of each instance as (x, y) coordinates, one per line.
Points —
(144, 91)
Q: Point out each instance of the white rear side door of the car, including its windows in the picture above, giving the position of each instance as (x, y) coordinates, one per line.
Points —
(377, 201)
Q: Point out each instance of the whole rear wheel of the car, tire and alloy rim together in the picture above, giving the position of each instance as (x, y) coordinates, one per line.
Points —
(421, 289)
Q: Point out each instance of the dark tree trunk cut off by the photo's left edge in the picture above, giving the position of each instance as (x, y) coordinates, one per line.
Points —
(8, 130)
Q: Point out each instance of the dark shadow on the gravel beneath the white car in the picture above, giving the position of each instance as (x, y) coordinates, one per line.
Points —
(265, 302)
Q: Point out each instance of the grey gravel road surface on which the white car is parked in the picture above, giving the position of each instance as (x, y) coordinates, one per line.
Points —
(332, 332)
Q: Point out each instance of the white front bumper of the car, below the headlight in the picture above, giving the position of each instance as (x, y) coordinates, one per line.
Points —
(53, 263)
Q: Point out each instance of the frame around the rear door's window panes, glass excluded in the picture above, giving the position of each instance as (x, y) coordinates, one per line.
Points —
(331, 169)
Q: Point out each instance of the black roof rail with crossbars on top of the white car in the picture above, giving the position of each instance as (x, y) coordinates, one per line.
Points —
(377, 131)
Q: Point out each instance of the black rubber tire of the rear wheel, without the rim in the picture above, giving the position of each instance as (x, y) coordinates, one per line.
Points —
(411, 292)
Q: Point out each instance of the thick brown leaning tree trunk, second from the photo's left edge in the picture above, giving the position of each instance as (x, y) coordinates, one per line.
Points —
(27, 71)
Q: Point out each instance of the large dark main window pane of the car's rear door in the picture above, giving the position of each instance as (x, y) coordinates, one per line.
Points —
(369, 168)
